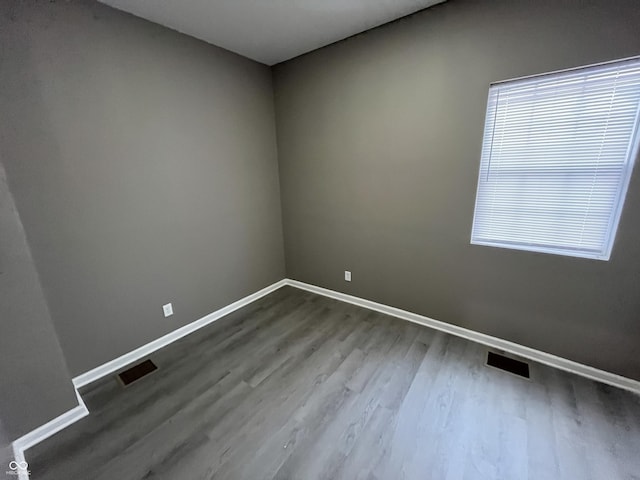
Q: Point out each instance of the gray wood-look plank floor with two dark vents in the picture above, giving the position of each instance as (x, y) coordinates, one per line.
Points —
(298, 386)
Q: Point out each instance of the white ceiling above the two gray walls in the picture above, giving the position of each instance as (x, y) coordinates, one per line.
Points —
(271, 31)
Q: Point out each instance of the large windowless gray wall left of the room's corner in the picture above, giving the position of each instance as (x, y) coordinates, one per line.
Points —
(144, 166)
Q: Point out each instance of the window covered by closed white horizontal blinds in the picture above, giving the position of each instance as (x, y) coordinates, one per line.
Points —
(556, 160)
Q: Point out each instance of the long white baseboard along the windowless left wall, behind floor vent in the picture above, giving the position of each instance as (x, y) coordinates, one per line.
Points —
(147, 349)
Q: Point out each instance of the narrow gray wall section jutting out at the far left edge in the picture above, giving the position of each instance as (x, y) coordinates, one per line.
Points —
(35, 385)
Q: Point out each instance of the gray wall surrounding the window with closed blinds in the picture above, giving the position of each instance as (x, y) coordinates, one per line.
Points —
(379, 141)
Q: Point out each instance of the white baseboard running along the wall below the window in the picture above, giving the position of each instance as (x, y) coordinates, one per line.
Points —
(488, 340)
